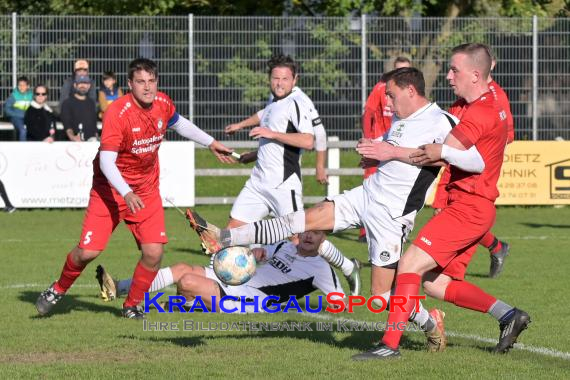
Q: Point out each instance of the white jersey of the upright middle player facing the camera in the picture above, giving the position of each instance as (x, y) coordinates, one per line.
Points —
(278, 165)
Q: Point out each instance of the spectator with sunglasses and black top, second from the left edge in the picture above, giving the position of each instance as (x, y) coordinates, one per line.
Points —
(39, 118)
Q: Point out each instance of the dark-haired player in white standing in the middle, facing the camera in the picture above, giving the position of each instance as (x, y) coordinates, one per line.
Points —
(288, 124)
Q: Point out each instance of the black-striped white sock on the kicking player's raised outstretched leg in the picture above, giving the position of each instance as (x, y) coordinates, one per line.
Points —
(266, 231)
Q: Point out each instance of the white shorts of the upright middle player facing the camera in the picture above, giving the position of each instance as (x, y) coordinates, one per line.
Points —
(253, 203)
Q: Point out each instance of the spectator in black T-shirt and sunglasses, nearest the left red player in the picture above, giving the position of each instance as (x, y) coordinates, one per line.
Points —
(79, 112)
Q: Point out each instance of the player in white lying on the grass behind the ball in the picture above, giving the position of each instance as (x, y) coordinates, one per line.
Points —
(284, 270)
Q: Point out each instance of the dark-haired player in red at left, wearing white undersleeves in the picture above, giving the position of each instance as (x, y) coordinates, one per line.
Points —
(126, 184)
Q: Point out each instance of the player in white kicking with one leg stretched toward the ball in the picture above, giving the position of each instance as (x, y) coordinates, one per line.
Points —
(385, 205)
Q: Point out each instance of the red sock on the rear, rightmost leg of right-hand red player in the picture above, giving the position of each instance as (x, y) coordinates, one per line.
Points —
(469, 296)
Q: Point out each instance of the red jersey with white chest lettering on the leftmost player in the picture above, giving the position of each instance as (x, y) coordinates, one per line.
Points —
(135, 133)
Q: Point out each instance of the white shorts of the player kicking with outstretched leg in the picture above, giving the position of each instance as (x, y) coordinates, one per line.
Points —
(385, 235)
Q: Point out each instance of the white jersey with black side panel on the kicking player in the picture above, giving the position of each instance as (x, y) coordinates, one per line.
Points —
(401, 187)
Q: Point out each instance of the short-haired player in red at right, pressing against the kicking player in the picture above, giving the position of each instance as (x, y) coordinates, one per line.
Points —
(446, 243)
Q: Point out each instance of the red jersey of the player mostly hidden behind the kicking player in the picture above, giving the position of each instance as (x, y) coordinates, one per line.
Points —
(377, 117)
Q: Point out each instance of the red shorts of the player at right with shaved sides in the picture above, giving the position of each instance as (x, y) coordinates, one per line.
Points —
(451, 237)
